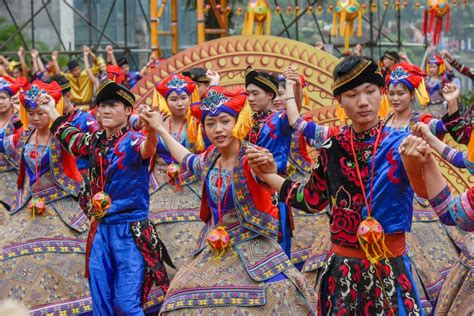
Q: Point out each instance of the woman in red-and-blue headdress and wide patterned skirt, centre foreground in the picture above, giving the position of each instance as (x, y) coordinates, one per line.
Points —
(238, 266)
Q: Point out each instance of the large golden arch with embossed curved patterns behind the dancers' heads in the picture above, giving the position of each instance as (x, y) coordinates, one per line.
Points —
(231, 56)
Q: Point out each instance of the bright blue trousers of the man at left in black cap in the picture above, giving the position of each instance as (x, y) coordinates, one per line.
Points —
(116, 269)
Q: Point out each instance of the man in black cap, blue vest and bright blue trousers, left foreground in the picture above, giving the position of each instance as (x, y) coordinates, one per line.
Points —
(123, 254)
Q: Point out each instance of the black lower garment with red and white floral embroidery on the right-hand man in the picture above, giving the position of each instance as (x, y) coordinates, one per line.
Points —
(356, 287)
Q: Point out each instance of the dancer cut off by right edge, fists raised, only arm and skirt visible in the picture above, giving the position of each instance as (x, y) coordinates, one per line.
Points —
(457, 294)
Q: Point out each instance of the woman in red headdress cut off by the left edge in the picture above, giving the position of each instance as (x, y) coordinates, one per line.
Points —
(9, 125)
